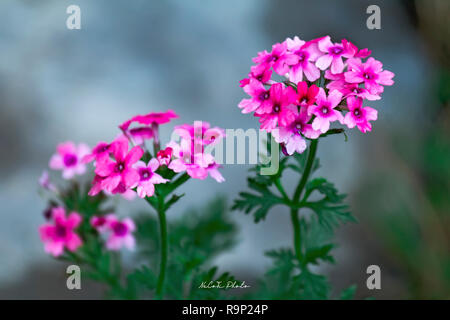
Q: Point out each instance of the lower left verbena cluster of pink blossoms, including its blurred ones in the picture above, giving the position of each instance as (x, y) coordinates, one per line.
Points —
(127, 167)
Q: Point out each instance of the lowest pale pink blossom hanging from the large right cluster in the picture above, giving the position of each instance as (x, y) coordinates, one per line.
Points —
(292, 134)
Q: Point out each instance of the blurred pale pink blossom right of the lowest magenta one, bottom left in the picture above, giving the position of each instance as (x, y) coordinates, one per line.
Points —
(119, 233)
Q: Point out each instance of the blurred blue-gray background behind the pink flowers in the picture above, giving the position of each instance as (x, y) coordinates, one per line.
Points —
(140, 56)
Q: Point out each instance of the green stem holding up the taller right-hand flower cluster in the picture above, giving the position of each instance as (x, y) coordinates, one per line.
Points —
(296, 198)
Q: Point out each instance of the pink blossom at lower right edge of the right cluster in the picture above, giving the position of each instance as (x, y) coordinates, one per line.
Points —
(358, 115)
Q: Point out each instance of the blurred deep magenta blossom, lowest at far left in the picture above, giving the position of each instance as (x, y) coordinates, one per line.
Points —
(60, 234)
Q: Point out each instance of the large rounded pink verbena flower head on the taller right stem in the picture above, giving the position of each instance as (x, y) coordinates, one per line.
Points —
(323, 82)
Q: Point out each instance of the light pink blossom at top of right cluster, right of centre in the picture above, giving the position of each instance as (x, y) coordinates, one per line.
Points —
(333, 53)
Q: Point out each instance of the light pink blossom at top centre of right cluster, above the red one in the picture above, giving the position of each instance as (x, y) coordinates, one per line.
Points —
(307, 53)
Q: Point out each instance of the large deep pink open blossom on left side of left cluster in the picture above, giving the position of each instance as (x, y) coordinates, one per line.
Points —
(119, 175)
